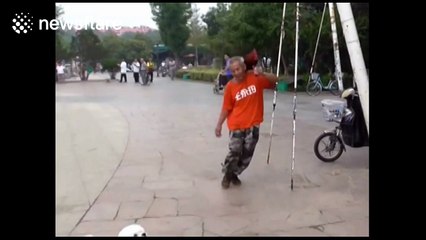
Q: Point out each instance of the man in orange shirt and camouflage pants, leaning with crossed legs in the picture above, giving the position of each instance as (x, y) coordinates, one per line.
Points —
(243, 109)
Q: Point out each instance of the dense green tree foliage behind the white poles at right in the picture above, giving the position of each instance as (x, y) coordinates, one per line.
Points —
(243, 26)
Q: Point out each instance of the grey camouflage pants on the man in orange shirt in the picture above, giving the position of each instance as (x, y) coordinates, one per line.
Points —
(241, 149)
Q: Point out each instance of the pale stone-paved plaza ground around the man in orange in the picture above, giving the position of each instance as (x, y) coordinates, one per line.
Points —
(128, 153)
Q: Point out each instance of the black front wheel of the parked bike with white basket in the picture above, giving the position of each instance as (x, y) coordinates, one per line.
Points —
(332, 147)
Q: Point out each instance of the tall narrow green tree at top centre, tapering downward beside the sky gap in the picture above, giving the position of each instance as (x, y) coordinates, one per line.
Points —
(172, 21)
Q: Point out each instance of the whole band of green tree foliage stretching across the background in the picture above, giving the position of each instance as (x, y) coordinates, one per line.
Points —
(234, 29)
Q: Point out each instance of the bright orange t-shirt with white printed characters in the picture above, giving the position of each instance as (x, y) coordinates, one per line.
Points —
(244, 101)
